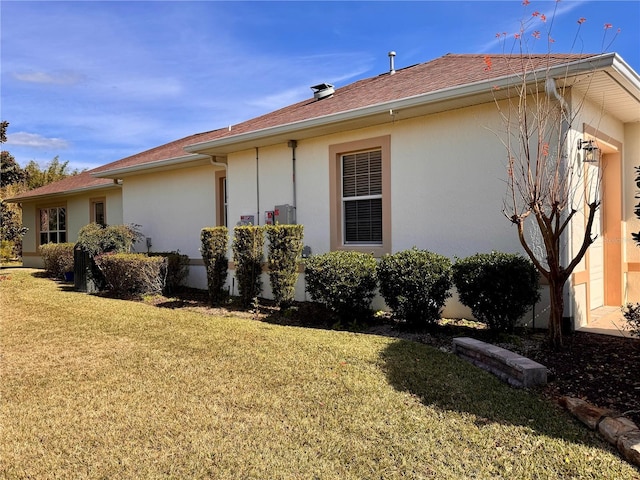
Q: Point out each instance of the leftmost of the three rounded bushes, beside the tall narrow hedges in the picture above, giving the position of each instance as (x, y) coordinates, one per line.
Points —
(345, 282)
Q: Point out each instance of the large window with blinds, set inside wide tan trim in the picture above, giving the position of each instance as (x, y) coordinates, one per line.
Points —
(362, 197)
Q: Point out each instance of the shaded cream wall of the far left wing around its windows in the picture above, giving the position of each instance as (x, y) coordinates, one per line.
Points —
(78, 215)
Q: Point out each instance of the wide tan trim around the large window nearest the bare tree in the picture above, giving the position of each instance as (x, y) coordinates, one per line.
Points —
(336, 219)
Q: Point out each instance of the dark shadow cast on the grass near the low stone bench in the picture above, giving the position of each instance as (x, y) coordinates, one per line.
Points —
(442, 380)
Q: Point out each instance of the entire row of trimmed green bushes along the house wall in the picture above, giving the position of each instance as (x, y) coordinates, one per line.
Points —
(415, 284)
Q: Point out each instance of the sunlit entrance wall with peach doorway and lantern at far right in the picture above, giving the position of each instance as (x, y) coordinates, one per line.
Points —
(607, 254)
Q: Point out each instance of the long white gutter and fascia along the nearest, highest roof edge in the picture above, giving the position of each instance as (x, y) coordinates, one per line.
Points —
(467, 90)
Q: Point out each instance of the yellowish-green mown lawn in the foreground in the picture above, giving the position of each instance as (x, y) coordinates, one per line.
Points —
(101, 388)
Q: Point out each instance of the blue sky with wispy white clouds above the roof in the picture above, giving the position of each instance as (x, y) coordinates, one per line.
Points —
(93, 82)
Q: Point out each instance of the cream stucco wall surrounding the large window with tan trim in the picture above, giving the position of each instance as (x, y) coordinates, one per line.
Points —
(447, 186)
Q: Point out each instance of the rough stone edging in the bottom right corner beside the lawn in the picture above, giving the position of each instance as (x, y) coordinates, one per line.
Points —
(616, 429)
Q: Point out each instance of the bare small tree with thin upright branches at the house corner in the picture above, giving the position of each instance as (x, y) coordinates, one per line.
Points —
(549, 190)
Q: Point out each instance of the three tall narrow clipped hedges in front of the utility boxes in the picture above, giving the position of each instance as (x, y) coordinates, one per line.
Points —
(284, 252)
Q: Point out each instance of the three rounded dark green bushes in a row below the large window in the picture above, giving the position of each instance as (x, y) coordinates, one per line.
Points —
(498, 287)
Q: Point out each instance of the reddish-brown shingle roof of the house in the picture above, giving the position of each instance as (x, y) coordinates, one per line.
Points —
(446, 72)
